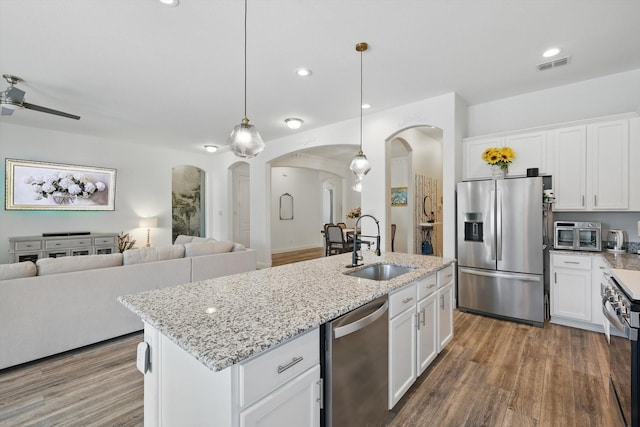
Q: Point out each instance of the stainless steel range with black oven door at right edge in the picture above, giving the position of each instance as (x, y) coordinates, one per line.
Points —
(623, 314)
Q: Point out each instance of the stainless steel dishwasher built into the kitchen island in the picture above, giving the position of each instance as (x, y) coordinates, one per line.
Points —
(356, 367)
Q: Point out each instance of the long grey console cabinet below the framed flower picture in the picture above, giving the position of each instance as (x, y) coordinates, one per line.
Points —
(32, 248)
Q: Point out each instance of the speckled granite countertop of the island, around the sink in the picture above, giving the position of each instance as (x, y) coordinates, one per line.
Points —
(225, 320)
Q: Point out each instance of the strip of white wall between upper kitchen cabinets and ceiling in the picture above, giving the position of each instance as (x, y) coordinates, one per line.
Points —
(604, 96)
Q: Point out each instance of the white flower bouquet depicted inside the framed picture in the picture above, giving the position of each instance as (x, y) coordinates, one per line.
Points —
(60, 183)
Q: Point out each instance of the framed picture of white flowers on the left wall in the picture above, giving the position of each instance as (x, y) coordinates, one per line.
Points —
(34, 185)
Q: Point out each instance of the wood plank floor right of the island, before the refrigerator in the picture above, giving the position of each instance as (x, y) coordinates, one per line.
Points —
(499, 373)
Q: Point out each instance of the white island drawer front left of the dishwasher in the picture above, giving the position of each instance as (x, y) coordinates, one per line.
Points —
(268, 371)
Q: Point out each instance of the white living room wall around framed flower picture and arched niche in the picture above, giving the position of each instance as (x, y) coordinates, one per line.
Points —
(143, 185)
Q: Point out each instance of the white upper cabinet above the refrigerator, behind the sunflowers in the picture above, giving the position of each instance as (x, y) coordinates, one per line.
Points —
(530, 149)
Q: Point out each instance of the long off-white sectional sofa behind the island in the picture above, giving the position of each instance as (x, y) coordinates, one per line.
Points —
(59, 304)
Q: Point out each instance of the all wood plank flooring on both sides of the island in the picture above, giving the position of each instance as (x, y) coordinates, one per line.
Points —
(493, 373)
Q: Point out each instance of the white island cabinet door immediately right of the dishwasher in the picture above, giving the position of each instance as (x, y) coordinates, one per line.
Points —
(402, 354)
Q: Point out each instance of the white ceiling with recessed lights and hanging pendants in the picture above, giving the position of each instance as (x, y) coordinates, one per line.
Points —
(143, 72)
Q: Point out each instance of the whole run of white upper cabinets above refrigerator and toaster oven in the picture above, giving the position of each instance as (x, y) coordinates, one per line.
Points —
(589, 161)
